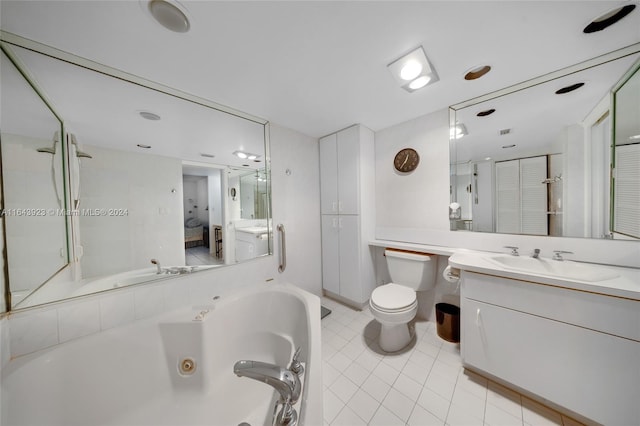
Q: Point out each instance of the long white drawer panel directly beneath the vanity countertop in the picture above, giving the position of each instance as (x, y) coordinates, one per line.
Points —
(613, 315)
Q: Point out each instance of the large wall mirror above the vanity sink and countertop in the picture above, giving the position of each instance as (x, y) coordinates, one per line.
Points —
(538, 158)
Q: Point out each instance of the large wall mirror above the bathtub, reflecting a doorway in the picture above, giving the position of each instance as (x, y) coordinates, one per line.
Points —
(132, 183)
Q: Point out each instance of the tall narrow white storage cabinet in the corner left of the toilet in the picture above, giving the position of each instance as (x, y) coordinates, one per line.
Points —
(347, 205)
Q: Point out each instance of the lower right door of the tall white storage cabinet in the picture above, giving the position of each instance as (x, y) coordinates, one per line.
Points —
(350, 264)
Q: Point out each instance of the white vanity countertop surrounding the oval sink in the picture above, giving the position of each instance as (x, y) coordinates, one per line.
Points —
(626, 284)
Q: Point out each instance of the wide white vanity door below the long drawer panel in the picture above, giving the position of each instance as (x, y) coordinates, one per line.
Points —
(591, 373)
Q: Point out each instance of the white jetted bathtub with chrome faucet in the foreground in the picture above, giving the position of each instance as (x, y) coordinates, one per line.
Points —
(135, 375)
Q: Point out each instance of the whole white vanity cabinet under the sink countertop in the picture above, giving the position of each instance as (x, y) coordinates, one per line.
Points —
(577, 350)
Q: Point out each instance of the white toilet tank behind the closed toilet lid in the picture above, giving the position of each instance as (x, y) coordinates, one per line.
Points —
(411, 269)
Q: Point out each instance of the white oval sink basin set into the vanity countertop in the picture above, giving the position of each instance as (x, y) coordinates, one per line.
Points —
(561, 269)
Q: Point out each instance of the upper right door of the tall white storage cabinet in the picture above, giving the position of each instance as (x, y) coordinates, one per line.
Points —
(348, 148)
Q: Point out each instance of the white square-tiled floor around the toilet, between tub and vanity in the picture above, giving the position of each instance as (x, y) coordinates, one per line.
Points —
(424, 385)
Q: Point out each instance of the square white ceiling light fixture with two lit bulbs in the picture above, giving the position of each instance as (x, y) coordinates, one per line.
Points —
(413, 71)
